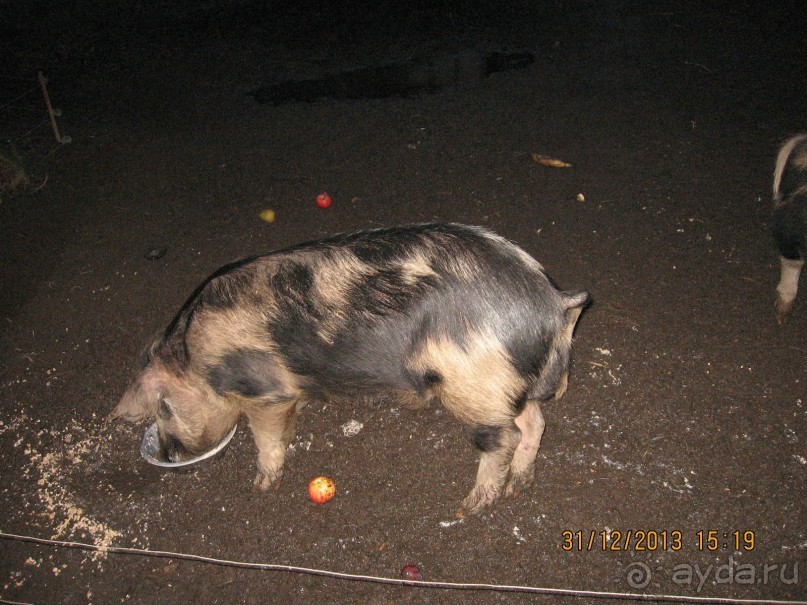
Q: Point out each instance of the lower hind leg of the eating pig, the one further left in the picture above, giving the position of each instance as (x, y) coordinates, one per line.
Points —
(494, 466)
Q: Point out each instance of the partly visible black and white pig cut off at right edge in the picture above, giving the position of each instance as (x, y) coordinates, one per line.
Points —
(790, 220)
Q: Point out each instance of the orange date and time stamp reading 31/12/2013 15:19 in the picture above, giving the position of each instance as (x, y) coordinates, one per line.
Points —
(709, 540)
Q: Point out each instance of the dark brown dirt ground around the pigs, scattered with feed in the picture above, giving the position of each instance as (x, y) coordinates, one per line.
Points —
(684, 423)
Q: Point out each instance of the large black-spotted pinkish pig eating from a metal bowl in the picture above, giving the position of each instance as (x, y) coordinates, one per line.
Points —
(432, 312)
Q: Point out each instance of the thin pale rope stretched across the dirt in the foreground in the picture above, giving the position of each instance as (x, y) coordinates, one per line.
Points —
(628, 596)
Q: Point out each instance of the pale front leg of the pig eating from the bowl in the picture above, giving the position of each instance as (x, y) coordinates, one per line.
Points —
(272, 427)
